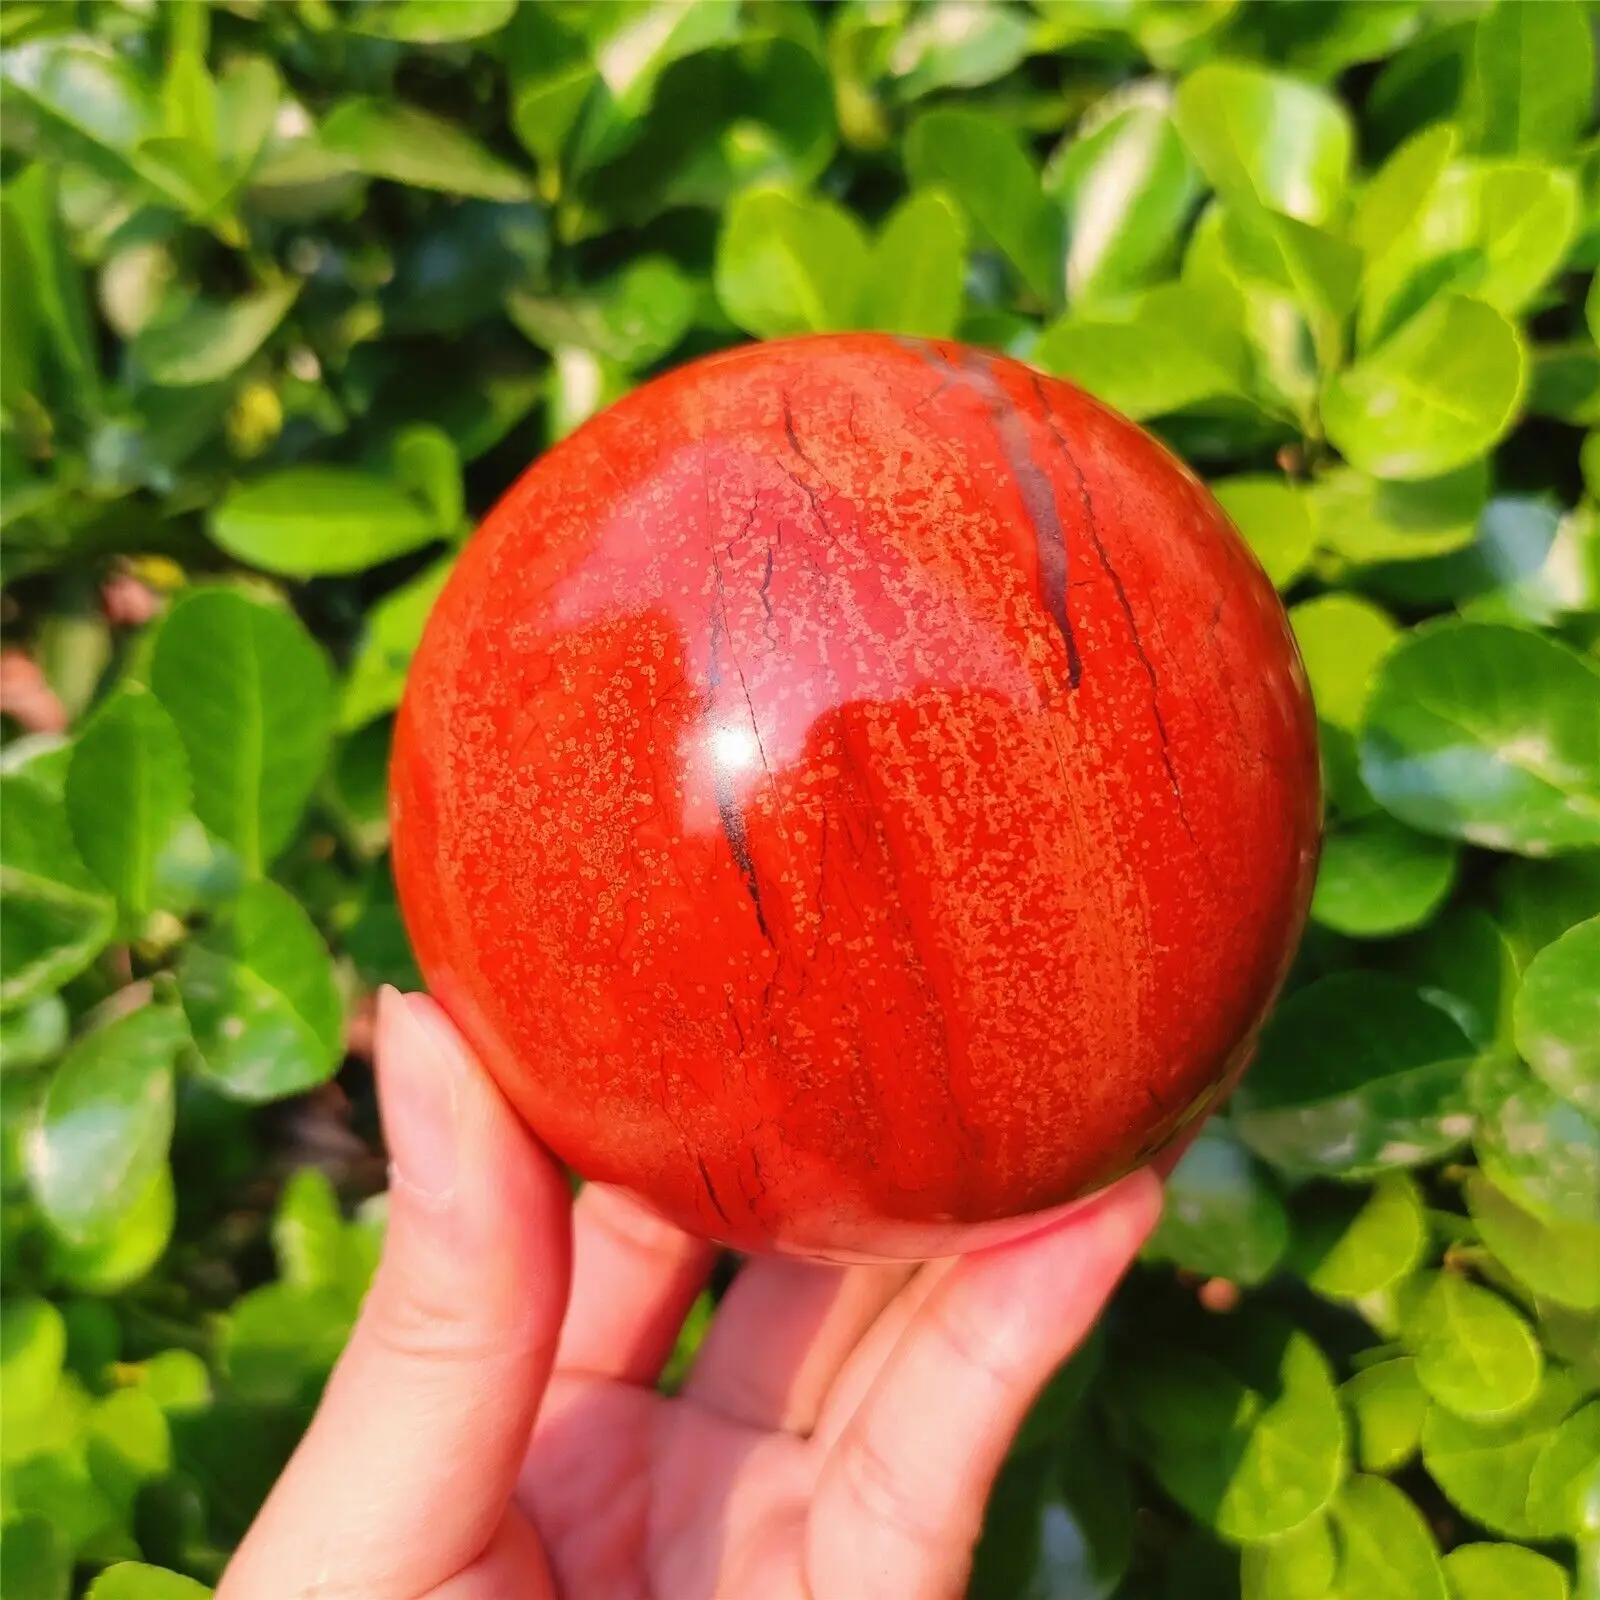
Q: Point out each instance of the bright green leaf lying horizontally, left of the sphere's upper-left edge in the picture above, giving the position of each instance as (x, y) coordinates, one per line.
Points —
(310, 521)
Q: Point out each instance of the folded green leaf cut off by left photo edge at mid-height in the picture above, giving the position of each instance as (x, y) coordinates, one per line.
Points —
(55, 918)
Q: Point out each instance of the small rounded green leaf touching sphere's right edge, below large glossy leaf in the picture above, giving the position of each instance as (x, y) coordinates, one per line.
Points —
(1380, 878)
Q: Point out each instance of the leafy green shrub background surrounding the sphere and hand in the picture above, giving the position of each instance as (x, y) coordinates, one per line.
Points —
(294, 292)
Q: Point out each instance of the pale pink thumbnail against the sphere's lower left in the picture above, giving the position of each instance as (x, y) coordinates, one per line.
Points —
(420, 1079)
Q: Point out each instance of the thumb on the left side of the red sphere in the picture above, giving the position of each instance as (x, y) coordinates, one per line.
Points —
(407, 1471)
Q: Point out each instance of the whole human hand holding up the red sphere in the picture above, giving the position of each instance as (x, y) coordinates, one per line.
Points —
(495, 1431)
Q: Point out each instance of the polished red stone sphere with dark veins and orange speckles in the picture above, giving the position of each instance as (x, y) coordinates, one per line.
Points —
(857, 793)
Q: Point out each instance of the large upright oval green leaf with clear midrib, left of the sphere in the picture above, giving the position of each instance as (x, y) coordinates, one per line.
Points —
(254, 702)
